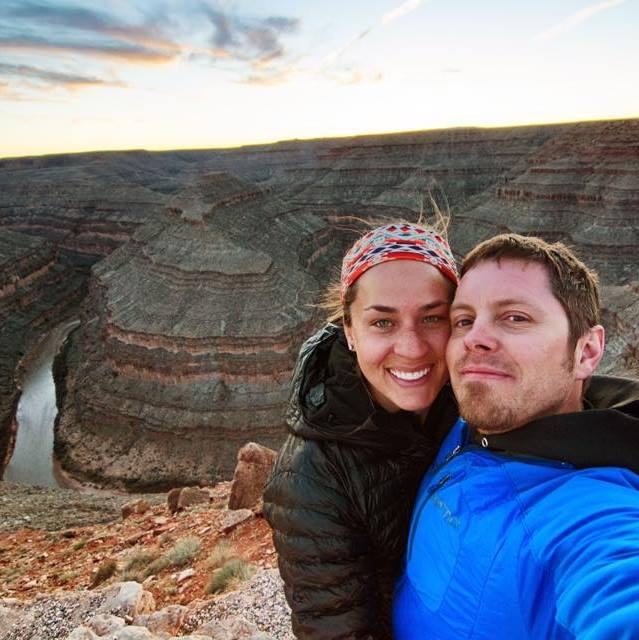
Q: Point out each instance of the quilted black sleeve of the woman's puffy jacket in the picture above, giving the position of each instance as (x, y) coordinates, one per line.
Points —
(323, 550)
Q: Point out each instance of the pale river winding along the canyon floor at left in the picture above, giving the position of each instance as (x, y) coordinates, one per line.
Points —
(32, 459)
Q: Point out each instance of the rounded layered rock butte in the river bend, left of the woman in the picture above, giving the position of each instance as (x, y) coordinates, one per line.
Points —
(188, 342)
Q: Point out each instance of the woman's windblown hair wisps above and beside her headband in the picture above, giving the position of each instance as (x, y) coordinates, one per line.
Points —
(337, 302)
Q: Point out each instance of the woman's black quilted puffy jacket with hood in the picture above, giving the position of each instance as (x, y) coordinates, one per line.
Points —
(340, 495)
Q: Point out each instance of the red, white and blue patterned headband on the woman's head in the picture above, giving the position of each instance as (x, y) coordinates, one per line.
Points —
(397, 242)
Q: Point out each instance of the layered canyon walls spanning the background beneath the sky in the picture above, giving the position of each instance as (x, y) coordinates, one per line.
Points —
(195, 274)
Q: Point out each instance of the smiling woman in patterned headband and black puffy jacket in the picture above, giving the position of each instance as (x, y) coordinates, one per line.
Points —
(369, 406)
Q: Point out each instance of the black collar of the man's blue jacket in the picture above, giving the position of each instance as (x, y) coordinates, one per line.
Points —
(604, 435)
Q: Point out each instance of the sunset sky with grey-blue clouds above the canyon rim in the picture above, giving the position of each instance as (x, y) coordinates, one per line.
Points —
(176, 74)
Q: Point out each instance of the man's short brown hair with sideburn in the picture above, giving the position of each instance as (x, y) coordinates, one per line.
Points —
(571, 281)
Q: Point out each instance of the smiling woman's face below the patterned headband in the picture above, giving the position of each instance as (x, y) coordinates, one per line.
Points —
(399, 330)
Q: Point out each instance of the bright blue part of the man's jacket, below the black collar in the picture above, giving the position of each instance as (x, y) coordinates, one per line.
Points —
(510, 546)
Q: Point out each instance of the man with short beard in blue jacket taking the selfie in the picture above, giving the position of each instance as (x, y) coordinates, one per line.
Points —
(526, 526)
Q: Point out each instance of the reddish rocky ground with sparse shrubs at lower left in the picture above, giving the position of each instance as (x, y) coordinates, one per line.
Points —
(76, 565)
